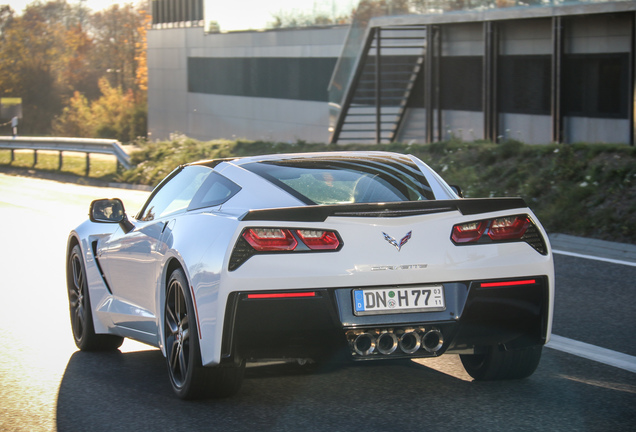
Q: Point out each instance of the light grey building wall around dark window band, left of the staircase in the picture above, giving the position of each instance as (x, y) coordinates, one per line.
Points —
(172, 109)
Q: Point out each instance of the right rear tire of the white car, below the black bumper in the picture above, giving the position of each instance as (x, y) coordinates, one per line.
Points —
(496, 364)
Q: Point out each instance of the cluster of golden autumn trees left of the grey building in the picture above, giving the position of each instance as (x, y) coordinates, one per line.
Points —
(56, 57)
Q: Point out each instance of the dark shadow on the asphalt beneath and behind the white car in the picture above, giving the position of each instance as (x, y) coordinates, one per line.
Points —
(131, 391)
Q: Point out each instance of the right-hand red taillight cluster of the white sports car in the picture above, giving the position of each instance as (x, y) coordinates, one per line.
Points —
(504, 229)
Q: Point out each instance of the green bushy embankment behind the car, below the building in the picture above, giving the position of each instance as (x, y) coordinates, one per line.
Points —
(580, 189)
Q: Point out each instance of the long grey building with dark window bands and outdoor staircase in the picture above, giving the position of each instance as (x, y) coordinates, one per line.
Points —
(556, 73)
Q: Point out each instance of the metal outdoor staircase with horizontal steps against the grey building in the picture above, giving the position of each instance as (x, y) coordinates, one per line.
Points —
(375, 101)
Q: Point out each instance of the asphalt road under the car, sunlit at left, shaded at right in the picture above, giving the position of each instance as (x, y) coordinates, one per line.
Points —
(46, 384)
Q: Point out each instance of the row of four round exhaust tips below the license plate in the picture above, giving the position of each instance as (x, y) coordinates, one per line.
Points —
(387, 342)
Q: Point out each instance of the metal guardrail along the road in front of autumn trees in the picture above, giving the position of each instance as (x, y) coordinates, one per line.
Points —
(81, 145)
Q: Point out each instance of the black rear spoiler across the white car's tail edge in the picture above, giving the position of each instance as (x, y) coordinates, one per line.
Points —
(319, 213)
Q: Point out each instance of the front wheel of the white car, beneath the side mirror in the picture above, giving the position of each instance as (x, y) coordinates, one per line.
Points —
(80, 308)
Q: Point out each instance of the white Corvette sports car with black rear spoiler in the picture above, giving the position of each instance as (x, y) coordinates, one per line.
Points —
(320, 256)
